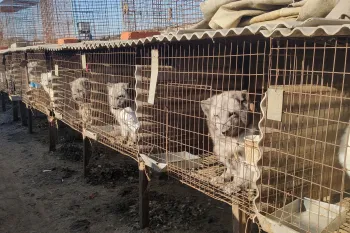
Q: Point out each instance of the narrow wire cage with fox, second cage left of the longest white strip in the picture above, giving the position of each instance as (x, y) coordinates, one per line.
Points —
(71, 88)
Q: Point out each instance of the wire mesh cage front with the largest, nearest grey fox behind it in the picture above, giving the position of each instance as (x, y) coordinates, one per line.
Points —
(204, 110)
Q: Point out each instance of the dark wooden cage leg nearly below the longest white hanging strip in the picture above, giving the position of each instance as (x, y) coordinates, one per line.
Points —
(143, 196)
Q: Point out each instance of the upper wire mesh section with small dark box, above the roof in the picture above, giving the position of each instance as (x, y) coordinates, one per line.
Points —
(81, 19)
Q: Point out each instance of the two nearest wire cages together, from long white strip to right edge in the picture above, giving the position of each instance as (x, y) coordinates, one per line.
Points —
(262, 124)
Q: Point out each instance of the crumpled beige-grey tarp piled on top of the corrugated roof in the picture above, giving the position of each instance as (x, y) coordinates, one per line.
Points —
(224, 14)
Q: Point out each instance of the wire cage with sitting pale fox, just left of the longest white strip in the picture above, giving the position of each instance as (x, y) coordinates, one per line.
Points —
(112, 83)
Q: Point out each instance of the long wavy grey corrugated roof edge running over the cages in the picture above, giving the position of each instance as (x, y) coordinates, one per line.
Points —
(309, 28)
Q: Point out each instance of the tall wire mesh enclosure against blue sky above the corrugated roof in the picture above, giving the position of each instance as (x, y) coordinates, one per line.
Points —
(45, 21)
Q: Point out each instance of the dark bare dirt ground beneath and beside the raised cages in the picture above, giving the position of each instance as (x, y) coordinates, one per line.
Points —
(46, 192)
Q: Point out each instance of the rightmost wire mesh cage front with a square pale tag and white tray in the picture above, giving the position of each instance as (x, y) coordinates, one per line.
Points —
(304, 164)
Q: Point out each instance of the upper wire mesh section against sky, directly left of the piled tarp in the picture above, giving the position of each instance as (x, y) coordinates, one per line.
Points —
(148, 15)
